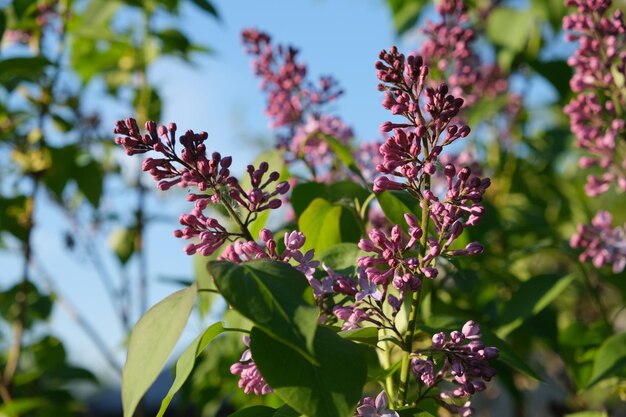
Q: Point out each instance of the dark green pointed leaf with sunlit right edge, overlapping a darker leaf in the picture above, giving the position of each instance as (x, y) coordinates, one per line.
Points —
(273, 295)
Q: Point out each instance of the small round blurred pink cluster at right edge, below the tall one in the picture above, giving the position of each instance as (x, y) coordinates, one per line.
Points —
(602, 244)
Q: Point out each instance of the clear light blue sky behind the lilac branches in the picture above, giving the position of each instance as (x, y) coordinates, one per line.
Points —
(220, 95)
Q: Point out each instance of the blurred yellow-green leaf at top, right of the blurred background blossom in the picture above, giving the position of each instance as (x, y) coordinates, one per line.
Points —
(510, 28)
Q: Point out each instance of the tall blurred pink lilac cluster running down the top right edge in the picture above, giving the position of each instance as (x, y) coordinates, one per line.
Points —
(596, 114)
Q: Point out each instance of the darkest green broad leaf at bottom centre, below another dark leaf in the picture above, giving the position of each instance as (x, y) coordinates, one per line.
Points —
(331, 389)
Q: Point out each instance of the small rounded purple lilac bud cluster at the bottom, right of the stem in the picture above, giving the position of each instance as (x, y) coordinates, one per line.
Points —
(460, 358)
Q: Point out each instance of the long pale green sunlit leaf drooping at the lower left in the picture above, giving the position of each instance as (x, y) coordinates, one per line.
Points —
(151, 342)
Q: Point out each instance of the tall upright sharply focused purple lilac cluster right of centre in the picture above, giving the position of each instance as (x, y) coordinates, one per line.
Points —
(412, 153)
